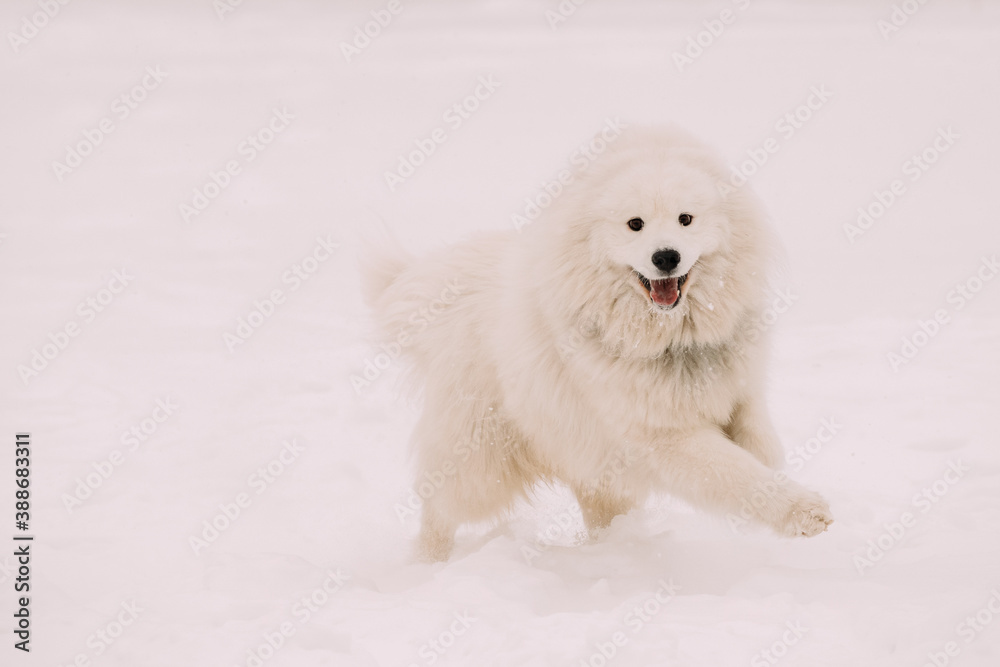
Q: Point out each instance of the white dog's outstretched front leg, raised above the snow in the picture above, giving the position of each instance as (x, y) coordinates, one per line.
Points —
(709, 470)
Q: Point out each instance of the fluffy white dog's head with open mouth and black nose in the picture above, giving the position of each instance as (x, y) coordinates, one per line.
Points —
(656, 248)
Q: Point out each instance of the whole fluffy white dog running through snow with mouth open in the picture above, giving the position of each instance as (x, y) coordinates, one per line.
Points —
(610, 345)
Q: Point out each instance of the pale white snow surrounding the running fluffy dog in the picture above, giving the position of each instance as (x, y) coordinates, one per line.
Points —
(317, 551)
